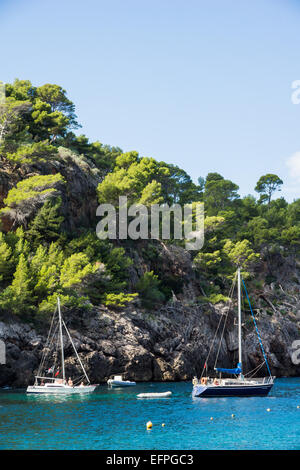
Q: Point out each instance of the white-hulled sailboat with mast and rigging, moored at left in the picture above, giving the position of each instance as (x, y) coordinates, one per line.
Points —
(57, 384)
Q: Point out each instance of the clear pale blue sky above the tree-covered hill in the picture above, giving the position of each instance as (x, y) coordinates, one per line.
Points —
(202, 84)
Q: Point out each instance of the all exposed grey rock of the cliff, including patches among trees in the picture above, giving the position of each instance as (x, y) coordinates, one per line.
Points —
(164, 343)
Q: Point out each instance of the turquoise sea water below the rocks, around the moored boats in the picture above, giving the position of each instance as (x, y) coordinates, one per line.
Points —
(116, 419)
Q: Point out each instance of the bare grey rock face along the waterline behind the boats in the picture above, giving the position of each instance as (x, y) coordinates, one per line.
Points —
(168, 345)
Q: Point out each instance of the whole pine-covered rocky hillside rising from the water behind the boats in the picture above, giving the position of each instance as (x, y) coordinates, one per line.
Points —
(148, 308)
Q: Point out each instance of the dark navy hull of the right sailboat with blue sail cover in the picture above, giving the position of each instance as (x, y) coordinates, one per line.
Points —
(232, 391)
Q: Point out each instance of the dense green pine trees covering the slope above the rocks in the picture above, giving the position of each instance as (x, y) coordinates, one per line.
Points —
(40, 257)
